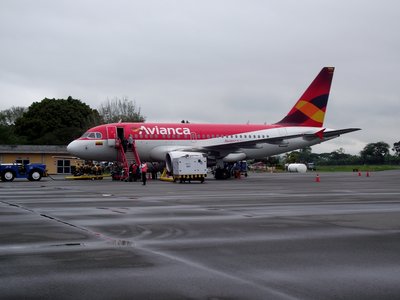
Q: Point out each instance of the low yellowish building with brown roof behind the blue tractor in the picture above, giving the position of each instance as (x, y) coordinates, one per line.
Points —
(56, 158)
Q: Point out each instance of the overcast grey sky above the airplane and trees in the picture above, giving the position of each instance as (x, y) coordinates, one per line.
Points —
(209, 61)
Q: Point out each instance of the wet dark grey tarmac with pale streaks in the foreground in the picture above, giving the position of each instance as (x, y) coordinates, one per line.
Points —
(267, 236)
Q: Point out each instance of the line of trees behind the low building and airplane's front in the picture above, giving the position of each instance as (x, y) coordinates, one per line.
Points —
(59, 121)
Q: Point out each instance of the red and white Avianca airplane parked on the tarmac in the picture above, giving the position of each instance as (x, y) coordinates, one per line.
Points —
(220, 143)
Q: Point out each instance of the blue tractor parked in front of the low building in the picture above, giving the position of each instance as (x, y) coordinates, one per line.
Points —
(32, 172)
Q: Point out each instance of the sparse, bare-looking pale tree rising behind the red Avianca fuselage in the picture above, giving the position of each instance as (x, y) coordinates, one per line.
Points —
(120, 110)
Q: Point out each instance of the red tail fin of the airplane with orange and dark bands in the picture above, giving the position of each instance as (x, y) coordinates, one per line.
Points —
(310, 109)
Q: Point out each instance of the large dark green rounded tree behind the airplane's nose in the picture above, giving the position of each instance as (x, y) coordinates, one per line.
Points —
(56, 122)
